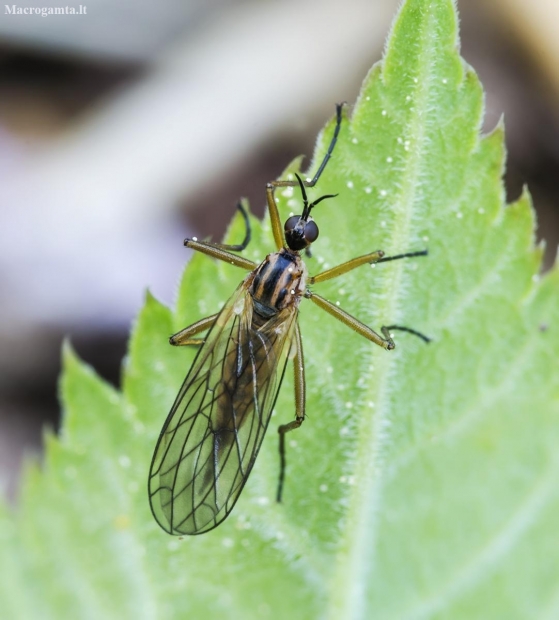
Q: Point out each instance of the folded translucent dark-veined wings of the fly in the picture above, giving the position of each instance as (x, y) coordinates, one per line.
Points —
(212, 435)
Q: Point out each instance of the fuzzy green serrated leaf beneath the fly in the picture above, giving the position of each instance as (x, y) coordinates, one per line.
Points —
(424, 482)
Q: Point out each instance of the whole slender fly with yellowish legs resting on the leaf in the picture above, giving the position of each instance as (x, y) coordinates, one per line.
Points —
(212, 435)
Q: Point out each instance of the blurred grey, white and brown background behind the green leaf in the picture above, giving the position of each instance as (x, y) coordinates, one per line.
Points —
(126, 128)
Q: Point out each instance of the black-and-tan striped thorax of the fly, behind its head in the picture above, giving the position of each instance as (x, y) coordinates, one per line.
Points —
(278, 282)
